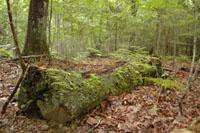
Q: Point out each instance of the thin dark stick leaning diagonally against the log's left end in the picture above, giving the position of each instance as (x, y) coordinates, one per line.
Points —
(15, 90)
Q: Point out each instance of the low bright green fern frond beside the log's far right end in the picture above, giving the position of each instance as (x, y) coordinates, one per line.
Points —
(164, 83)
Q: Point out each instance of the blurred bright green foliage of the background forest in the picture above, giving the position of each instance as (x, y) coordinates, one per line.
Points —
(109, 25)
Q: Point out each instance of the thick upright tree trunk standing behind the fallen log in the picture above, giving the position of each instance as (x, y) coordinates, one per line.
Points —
(36, 39)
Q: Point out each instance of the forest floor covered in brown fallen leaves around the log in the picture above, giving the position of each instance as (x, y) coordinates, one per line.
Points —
(146, 109)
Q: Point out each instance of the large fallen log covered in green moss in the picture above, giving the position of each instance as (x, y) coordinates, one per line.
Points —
(63, 96)
